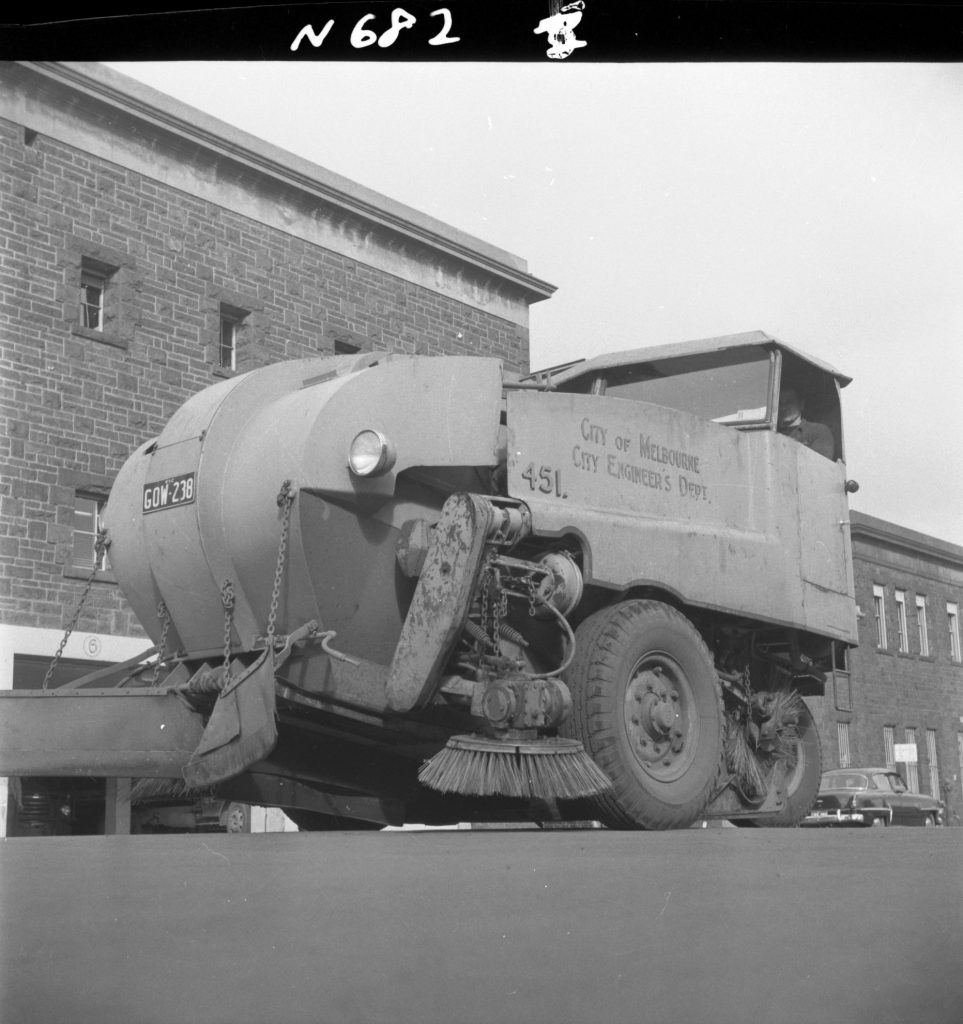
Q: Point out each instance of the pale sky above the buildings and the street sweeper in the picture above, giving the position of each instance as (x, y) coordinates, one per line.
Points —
(821, 203)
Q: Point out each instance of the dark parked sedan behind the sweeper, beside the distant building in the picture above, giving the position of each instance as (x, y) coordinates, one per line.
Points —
(868, 797)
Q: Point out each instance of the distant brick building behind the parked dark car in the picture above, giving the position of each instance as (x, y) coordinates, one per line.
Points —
(904, 685)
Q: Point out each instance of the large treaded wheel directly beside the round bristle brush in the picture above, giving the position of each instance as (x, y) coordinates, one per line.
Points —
(647, 707)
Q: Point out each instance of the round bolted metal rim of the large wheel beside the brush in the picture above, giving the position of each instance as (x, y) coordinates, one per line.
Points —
(659, 717)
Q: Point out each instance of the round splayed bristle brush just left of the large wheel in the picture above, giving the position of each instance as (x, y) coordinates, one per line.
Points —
(487, 769)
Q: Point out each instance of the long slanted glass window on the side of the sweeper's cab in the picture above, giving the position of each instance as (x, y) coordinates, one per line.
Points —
(729, 388)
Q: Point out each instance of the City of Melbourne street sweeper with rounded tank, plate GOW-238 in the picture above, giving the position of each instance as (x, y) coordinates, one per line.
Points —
(389, 589)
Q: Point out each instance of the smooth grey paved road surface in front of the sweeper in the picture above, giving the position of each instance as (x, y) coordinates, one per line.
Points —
(700, 927)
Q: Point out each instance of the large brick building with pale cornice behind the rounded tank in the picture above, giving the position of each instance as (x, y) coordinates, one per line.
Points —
(149, 250)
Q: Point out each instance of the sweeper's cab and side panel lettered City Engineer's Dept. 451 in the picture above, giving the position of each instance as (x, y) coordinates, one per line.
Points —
(676, 455)
